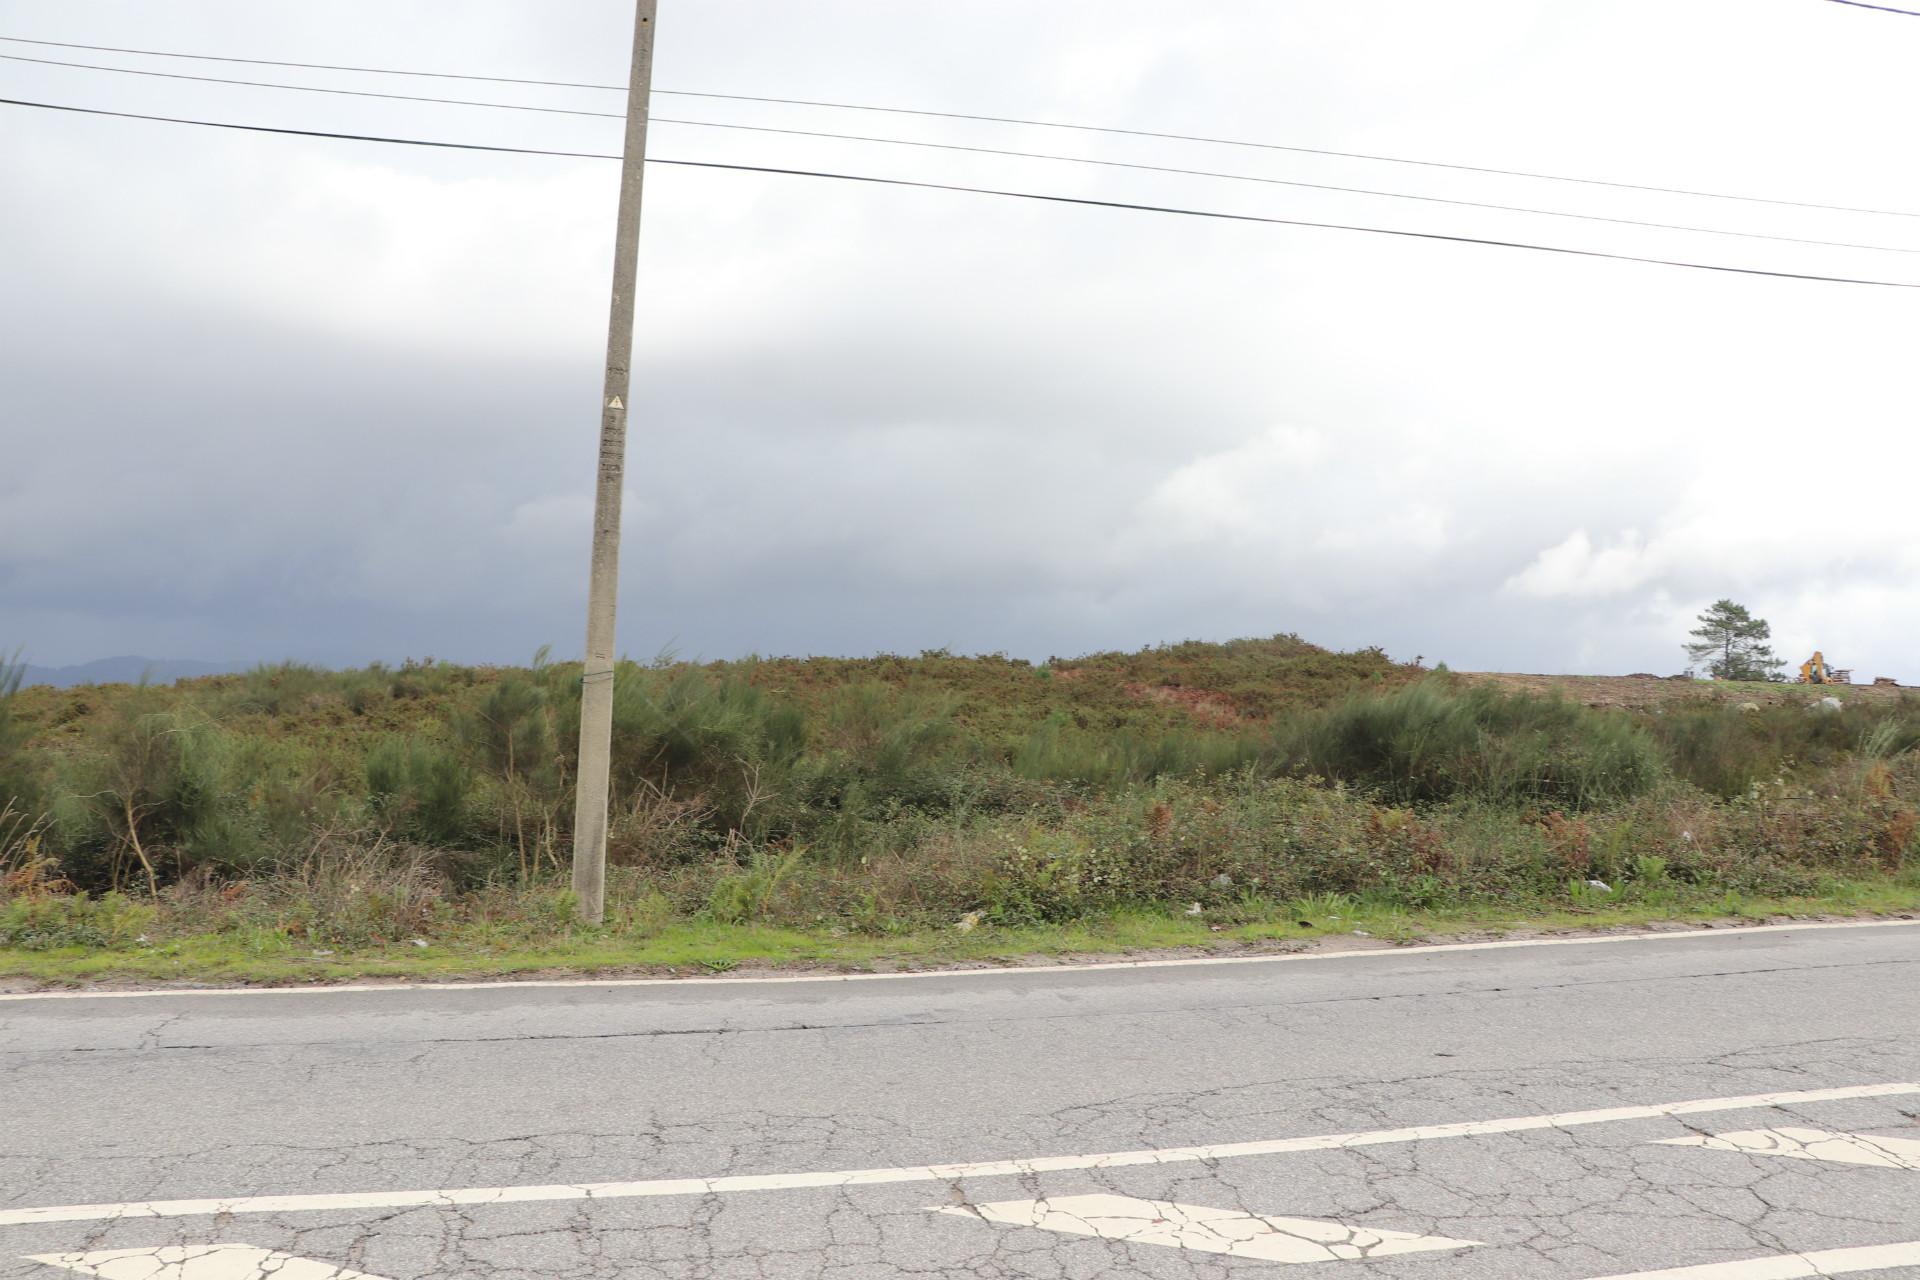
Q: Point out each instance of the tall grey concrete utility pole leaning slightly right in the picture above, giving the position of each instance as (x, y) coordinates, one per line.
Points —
(604, 584)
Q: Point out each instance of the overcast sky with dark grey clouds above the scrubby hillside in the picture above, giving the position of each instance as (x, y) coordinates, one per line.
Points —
(270, 396)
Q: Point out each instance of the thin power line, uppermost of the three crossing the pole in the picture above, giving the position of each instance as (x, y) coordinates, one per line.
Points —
(1007, 120)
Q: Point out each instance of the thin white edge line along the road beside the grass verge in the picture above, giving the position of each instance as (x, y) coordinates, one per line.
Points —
(1372, 953)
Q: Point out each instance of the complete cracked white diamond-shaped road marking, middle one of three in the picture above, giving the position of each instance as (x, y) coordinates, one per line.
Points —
(1201, 1229)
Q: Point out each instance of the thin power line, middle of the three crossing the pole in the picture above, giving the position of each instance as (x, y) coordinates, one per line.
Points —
(990, 151)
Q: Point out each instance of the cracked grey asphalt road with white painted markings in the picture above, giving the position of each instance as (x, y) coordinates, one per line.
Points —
(1739, 1104)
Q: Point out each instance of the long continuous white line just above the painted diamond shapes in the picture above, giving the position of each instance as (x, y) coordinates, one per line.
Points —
(921, 1173)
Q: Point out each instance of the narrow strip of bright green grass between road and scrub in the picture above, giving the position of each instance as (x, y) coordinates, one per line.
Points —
(694, 949)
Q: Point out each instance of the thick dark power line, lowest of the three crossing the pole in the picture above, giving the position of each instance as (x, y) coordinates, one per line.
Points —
(986, 191)
